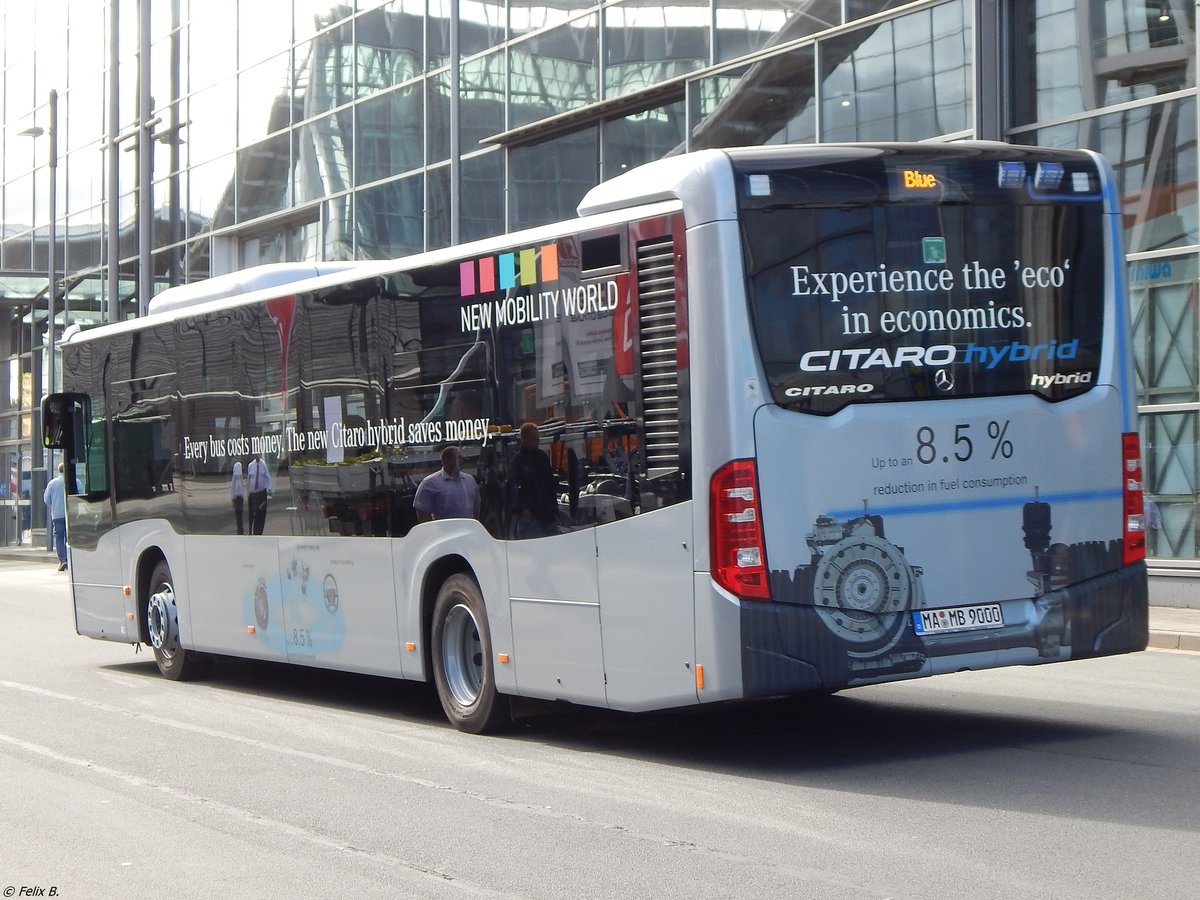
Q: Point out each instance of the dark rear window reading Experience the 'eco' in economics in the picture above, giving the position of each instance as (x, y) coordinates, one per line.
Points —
(886, 298)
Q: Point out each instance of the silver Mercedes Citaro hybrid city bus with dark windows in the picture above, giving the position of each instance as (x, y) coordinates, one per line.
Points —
(809, 418)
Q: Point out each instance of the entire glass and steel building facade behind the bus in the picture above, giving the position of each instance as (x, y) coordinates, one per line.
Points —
(189, 139)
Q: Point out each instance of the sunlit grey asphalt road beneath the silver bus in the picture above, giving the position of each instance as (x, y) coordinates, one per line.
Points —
(1078, 781)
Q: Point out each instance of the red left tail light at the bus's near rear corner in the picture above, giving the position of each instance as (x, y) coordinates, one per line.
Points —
(737, 556)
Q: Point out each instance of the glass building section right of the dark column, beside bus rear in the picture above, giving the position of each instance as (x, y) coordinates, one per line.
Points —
(1120, 77)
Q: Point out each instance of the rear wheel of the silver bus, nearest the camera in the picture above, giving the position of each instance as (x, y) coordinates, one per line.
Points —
(463, 659)
